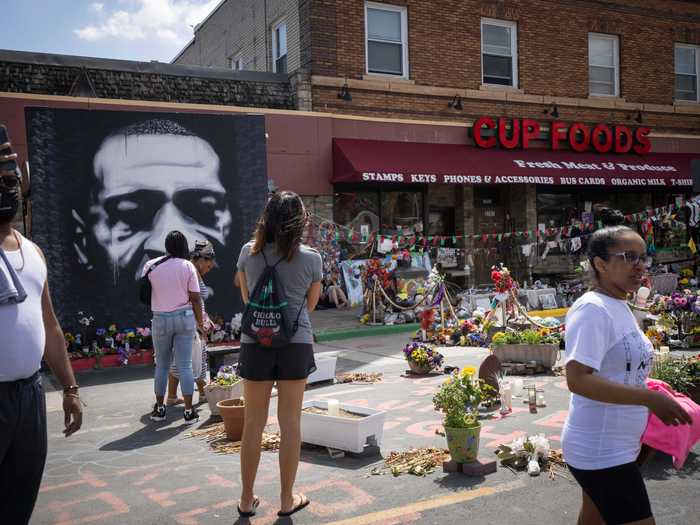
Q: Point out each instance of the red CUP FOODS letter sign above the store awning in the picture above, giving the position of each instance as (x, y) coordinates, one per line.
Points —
(600, 138)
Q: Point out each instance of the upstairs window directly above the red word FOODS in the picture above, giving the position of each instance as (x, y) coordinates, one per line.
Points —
(603, 65)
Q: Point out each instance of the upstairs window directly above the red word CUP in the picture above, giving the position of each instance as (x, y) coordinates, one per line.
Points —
(499, 52)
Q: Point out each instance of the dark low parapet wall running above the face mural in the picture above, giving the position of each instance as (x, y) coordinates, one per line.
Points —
(117, 79)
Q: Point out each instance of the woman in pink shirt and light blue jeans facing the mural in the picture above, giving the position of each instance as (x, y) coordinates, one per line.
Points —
(177, 313)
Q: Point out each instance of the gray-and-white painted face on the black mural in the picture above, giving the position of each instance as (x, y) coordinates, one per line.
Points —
(149, 185)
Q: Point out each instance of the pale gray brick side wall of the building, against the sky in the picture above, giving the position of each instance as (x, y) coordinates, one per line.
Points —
(242, 28)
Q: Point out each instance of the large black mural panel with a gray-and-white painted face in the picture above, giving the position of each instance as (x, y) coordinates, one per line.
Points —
(126, 179)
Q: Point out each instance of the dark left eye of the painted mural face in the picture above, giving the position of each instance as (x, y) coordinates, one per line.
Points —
(136, 209)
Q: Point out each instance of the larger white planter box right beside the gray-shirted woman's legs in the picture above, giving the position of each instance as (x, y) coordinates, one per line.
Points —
(339, 432)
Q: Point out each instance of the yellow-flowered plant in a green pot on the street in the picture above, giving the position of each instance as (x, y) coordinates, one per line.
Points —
(458, 398)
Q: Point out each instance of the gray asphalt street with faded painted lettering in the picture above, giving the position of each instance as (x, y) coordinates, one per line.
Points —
(124, 469)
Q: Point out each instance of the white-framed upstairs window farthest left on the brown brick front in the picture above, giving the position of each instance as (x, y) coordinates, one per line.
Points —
(386, 30)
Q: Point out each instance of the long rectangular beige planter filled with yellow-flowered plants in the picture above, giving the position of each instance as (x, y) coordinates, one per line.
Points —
(541, 346)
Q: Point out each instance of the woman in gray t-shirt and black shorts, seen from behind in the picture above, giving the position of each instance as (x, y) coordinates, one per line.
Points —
(299, 268)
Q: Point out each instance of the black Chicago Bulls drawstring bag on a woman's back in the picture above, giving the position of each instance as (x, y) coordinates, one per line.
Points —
(266, 316)
